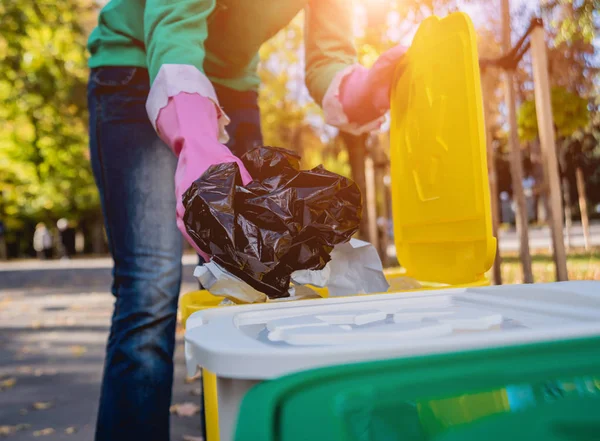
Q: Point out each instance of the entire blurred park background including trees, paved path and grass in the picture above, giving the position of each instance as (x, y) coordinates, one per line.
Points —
(55, 273)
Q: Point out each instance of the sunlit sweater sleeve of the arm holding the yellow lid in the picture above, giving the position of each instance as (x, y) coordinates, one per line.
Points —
(329, 43)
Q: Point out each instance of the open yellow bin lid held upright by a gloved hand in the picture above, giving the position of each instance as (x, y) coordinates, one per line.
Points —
(440, 188)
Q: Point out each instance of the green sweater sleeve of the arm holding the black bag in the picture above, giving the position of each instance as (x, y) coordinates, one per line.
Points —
(175, 32)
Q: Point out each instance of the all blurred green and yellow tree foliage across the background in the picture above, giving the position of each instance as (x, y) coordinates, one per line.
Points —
(44, 166)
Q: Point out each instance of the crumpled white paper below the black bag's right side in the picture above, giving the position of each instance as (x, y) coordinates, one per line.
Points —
(355, 268)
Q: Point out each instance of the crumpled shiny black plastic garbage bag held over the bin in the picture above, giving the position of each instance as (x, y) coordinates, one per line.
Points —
(287, 219)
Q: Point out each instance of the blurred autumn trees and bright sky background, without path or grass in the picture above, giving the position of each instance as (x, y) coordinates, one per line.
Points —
(45, 175)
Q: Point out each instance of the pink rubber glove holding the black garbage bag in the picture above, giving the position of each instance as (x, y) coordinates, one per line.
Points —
(189, 125)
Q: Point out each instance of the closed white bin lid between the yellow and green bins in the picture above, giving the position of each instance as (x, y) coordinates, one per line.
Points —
(269, 340)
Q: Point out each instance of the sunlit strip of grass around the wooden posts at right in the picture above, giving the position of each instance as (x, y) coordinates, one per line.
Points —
(581, 265)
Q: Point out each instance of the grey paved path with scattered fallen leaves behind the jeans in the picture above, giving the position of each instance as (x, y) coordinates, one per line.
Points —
(54, 319)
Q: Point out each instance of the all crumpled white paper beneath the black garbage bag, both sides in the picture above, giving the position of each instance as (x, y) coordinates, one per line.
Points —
(355, 268)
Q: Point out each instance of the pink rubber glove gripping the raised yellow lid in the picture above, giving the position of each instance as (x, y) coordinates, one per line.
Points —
(365, 93)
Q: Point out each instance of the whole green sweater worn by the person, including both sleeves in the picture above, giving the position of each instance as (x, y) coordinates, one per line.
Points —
(221, 37)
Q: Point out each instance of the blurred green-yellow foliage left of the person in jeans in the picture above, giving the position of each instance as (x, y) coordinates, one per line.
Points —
(43, 119)
